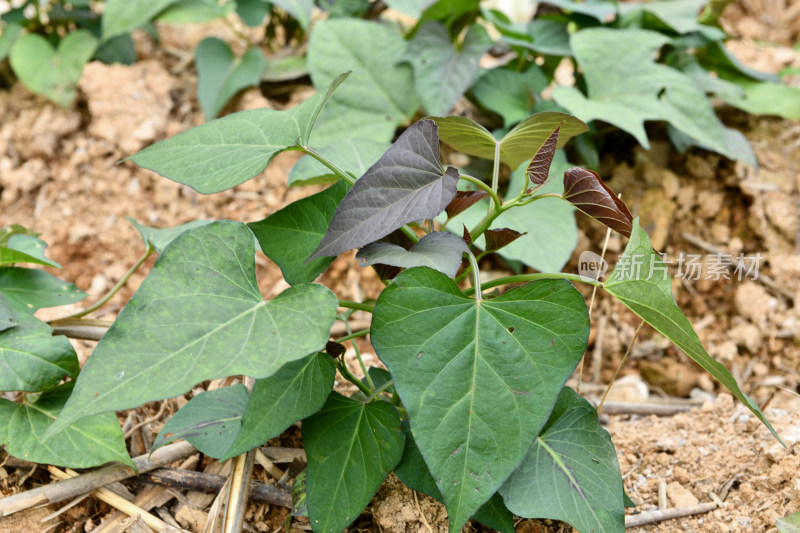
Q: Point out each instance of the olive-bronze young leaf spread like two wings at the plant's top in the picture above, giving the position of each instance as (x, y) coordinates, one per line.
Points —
(520, 144)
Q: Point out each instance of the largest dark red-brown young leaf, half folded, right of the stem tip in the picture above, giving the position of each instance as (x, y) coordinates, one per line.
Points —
(585, 190)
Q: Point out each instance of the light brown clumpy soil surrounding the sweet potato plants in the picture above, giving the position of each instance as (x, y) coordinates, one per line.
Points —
(59, 174)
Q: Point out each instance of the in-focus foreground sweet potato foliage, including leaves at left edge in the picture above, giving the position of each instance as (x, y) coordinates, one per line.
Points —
(473, 409)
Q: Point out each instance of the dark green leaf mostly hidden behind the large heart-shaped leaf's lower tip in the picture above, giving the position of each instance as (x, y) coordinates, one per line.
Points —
(413, 472)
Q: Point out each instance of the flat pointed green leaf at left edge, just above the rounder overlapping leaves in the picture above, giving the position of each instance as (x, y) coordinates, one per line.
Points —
(27, 289)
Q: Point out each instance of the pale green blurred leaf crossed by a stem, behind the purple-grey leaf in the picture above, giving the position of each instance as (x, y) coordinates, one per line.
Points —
(352, 155)
